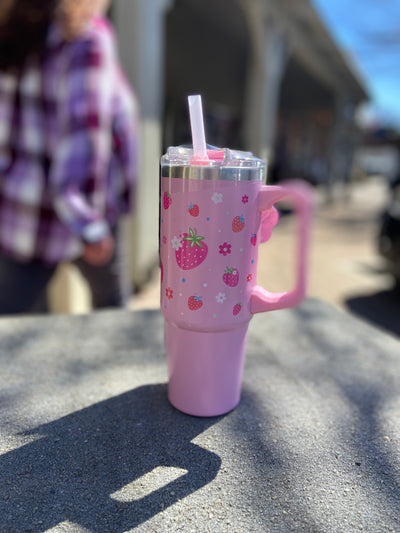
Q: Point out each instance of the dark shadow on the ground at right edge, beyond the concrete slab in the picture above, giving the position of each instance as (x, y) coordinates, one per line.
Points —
(381, 309)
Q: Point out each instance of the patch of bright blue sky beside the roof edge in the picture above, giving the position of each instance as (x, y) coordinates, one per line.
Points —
(369, 31)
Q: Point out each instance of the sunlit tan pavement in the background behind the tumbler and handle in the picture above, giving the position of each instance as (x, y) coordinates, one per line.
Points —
(343, 260)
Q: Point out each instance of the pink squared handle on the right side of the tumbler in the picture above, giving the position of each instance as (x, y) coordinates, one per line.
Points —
(300, 195)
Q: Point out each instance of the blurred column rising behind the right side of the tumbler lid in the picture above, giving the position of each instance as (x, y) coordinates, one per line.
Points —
(267, 64)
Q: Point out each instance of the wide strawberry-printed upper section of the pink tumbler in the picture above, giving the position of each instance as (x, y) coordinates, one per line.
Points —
(222, 272)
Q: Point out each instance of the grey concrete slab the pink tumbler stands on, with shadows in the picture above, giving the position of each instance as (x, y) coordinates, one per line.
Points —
(89, 442)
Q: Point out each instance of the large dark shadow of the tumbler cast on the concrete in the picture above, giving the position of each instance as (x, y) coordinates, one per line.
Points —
(78, 462)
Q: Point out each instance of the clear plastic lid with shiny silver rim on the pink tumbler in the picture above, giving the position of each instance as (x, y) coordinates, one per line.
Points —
(222, 164)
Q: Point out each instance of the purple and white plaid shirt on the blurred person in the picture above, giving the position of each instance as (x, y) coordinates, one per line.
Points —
(68, 148)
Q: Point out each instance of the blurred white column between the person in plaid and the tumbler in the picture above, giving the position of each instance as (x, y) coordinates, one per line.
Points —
(140, 30)
